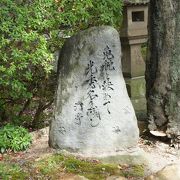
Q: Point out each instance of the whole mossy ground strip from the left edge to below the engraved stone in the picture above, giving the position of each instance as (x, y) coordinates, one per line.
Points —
(54, 166)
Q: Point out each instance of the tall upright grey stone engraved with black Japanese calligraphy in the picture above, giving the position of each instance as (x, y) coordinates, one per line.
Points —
(93, 115)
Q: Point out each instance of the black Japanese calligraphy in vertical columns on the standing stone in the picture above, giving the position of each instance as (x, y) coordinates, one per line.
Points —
(93, 86)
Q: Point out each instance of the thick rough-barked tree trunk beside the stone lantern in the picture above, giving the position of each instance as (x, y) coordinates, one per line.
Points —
(163, 66)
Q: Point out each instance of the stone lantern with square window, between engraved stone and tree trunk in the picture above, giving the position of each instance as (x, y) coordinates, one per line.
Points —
(133, 35)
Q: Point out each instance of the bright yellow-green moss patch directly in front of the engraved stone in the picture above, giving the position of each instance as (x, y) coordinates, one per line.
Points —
(92, 170)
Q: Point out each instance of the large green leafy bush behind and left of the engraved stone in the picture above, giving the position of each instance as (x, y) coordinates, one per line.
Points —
(30, 32)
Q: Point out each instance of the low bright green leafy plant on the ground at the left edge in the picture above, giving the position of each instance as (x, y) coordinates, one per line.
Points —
(14, 138)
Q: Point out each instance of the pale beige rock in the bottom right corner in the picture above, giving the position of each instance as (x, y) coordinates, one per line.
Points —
(168, 173)
